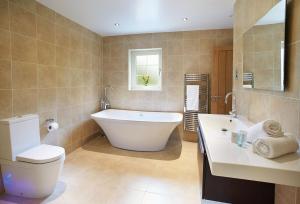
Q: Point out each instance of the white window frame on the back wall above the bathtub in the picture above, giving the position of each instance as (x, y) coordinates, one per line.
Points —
(132, 84)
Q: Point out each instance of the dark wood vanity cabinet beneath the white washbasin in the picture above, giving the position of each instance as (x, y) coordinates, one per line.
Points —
(231, 190)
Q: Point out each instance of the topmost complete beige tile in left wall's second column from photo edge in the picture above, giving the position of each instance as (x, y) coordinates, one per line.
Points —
(22, 21)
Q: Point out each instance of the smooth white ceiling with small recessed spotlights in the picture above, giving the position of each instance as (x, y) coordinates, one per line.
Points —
(145, 16)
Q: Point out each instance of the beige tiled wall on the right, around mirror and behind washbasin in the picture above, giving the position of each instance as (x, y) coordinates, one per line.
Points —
(259, 105)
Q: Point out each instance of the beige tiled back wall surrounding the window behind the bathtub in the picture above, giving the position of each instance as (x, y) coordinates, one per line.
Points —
(183, 52)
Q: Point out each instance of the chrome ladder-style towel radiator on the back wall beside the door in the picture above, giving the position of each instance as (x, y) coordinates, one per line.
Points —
(190, 118)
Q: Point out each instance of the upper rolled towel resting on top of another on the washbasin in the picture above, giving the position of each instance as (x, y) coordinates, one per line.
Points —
(268, 128)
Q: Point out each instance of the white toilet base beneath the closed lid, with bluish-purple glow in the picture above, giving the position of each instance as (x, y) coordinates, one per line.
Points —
(30, 180)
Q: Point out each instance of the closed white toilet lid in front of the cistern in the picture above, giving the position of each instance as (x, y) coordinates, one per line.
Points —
(41, 154)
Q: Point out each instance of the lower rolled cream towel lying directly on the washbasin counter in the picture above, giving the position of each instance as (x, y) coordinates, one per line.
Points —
(270, 147)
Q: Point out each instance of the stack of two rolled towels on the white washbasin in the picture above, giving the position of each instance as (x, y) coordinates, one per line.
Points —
(270, 141)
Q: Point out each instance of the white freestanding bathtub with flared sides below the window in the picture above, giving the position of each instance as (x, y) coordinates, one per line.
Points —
(136, 130)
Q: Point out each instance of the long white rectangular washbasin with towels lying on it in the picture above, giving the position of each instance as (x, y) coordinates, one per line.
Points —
(229, 160)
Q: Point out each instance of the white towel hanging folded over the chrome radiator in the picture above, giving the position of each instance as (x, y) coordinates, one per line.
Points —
(192, 97)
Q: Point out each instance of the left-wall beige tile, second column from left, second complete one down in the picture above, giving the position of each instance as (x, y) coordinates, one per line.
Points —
(24, 48)
